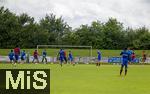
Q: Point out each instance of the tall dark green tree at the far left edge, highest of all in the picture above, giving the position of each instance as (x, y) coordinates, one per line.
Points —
(8, 24)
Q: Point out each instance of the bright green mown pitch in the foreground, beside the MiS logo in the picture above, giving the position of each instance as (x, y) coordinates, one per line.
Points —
(88, 79)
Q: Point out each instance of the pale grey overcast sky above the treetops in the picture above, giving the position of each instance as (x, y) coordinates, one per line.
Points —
(132, 13)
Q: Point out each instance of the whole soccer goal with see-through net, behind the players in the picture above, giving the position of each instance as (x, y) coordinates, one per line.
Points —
(81, 54)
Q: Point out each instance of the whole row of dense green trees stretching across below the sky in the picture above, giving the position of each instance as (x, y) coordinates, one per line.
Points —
(24, 31)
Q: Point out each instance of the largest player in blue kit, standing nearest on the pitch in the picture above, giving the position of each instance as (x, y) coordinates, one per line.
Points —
(125, 59)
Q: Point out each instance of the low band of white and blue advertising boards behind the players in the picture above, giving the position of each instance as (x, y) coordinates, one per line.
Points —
(84, 60)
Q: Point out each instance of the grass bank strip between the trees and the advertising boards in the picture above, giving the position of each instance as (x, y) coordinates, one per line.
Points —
(78, 52)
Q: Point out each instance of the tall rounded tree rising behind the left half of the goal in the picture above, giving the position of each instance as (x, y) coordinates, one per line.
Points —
(55, 26)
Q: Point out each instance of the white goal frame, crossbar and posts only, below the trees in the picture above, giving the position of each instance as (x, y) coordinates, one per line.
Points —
(66, 46)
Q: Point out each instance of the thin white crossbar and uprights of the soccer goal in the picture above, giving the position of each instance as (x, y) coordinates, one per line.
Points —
(67, 46)
